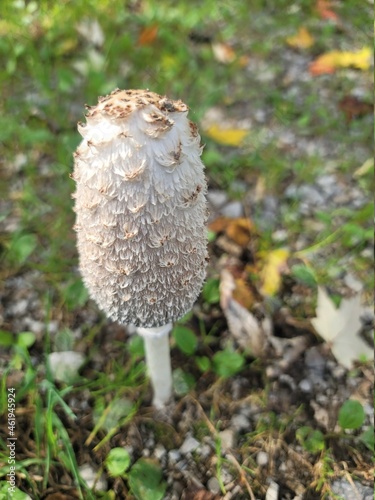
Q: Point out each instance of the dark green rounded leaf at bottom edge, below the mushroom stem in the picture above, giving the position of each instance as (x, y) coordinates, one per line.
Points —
(145, 480)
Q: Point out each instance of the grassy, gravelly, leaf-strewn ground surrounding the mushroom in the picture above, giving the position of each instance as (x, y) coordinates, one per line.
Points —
(265, 404)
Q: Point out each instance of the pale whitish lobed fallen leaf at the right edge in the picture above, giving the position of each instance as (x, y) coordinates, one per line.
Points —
(340, 328)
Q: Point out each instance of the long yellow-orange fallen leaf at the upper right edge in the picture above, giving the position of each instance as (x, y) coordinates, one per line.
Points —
(329, 62)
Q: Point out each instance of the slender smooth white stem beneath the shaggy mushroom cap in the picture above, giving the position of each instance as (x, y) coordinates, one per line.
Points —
(158, 361)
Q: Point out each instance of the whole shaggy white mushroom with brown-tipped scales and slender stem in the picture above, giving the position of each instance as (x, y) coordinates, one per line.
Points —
(140, 217)
